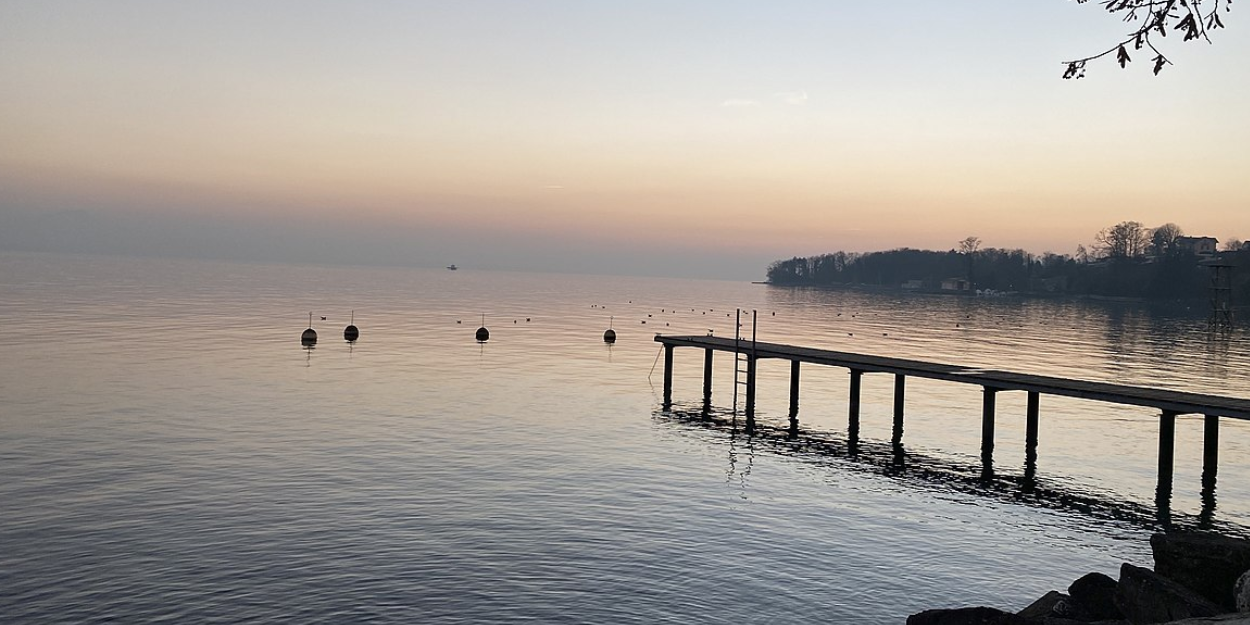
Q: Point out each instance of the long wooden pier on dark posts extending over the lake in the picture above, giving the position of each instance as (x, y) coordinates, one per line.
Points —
(1169, 404)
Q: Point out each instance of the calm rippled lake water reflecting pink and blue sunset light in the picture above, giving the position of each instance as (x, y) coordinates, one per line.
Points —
(169, 452)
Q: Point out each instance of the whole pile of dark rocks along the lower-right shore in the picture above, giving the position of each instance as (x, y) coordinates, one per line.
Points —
(1198, 578)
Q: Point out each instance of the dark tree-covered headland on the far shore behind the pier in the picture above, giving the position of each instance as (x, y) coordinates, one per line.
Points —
(1127, 261)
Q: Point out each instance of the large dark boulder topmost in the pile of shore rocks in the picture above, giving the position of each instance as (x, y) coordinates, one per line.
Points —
(1208, 564)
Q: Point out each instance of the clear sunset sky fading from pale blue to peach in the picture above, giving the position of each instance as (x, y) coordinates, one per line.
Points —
(697, 139)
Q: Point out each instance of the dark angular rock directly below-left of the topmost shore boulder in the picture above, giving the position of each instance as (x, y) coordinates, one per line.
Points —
(1146, 597)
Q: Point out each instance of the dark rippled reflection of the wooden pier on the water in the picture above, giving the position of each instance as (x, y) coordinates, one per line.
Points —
(933, 472)
